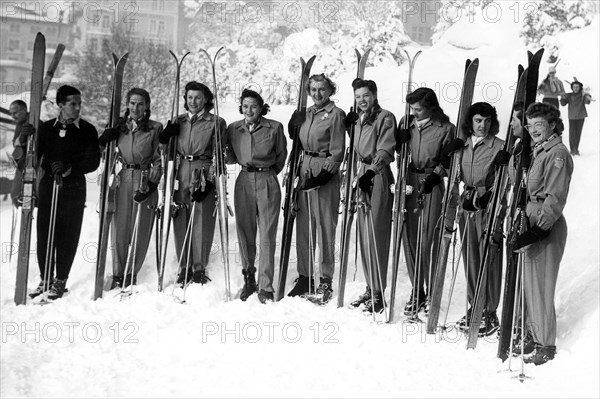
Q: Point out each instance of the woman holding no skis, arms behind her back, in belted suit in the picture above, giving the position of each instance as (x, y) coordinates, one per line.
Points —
(258, 144)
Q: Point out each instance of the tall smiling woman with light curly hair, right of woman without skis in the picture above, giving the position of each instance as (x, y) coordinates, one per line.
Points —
(322, 135)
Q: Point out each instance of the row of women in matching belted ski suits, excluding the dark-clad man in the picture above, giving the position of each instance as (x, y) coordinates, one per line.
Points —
(259, 145)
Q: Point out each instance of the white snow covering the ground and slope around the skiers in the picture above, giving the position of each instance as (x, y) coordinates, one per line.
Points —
(152, 346)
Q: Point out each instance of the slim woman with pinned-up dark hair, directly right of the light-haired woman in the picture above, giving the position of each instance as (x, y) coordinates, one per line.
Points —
(374, 144)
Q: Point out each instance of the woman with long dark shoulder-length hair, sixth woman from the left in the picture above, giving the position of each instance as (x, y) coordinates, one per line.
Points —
(429, 132)
